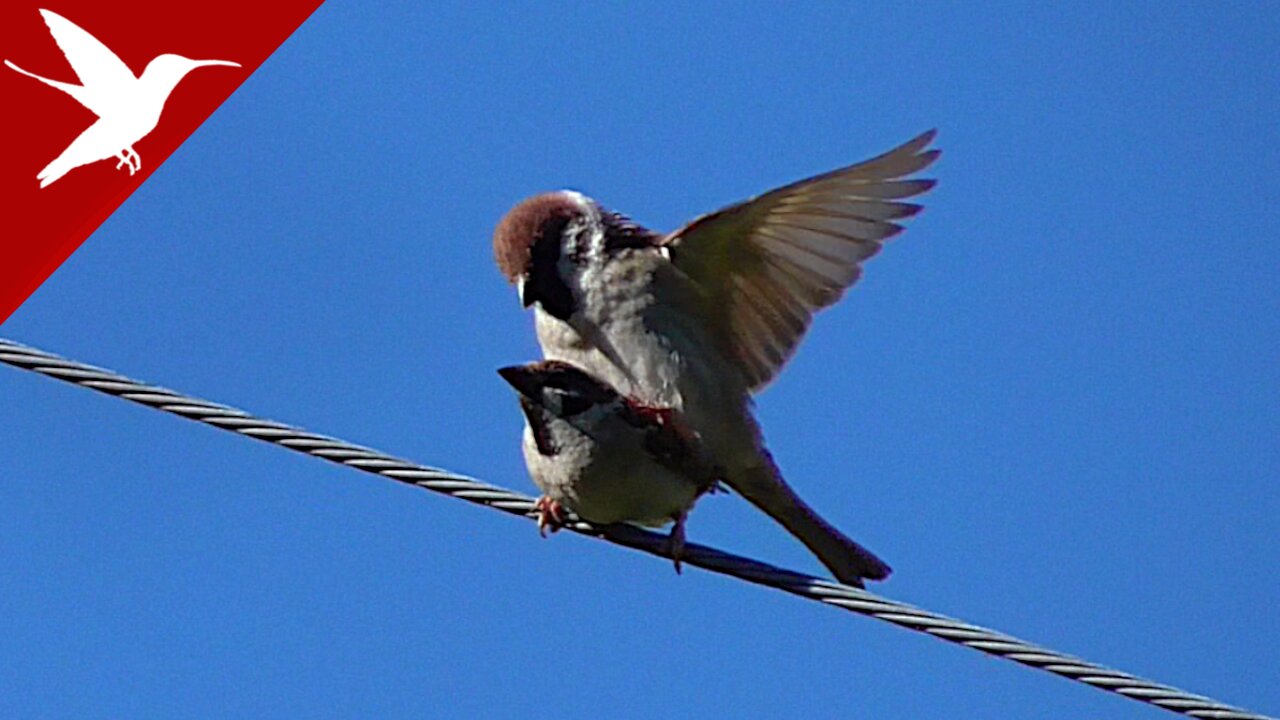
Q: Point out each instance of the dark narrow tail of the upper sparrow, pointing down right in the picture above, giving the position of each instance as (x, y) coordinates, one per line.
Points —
(847, 560)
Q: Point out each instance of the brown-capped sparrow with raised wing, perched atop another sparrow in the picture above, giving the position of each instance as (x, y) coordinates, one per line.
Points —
(702, 318)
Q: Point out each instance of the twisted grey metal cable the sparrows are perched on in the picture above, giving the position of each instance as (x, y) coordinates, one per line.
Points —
(702, 557)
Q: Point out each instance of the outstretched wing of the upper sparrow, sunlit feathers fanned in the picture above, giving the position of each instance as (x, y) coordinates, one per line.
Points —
(766, 266)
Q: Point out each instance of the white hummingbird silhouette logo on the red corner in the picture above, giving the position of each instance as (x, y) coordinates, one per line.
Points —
(127, 107)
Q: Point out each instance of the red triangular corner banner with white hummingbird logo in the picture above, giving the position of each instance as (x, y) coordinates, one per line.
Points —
(118, 88)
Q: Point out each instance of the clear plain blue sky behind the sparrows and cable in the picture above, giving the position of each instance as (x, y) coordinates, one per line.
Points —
(1054, 404)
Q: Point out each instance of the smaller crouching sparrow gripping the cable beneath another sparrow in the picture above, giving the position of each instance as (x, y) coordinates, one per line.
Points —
(606, 457)
